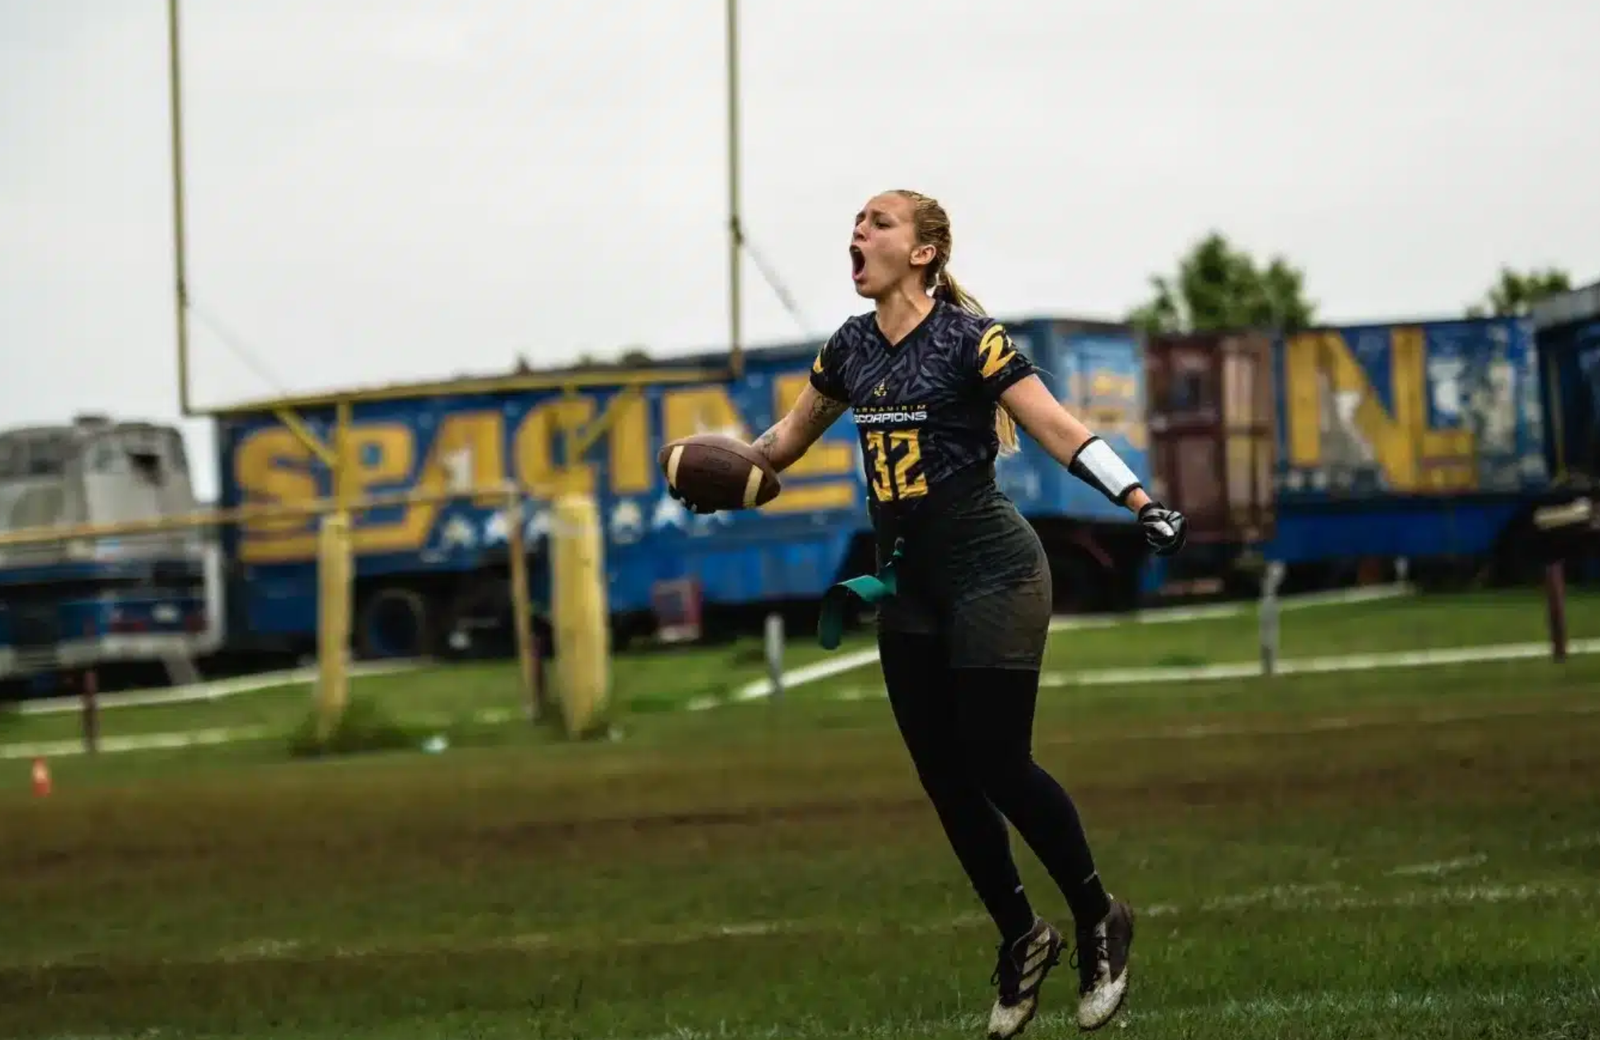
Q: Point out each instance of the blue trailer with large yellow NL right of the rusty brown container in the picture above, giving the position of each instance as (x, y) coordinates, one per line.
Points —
(1420, 442)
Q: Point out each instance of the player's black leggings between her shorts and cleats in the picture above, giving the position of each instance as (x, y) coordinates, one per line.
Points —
(970, 737)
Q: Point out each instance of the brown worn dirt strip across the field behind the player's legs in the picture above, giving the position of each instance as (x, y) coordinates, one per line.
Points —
(822, 796)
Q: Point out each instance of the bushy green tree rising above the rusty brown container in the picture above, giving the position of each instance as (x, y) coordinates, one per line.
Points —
(1220, 287)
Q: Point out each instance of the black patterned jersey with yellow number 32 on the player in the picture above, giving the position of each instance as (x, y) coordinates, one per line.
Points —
(926, 407)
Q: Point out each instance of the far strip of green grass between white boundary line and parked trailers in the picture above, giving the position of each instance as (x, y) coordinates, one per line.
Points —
(668, 681)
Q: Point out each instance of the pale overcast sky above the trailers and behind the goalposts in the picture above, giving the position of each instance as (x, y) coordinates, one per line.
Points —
(398, 190)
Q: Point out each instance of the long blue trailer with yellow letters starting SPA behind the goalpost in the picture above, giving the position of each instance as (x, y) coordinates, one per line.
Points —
(428, 575)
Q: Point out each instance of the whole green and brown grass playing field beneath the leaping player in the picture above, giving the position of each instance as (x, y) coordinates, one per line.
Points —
(1390, 854)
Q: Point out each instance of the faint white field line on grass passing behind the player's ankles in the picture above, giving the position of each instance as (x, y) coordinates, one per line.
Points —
(1278, 898)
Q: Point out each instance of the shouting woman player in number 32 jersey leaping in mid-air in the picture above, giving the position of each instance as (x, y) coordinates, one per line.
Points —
(937, 391)
